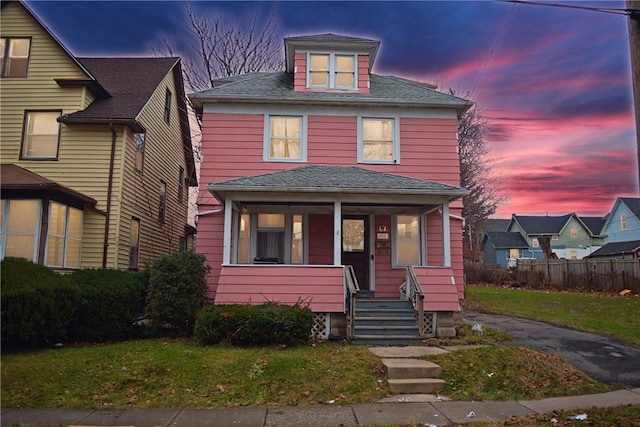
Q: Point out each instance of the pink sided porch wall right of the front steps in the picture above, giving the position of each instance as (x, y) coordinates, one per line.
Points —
(439, 293)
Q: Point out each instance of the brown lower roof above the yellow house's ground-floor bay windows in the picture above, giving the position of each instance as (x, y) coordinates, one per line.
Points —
(15, 178)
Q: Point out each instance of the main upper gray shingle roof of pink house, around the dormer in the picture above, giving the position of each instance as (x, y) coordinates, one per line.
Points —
(278, 87)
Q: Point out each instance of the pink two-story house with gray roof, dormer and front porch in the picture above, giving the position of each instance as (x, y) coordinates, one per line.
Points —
(333, 186)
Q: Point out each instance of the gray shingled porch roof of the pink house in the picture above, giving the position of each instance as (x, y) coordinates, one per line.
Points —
(335, 180)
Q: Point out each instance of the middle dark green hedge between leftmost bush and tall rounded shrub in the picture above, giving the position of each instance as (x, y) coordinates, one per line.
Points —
(111, 302)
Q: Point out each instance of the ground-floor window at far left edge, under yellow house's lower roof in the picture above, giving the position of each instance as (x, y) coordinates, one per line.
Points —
(20, 228)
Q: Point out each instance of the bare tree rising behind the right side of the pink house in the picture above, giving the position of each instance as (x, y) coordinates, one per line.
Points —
(475, 175)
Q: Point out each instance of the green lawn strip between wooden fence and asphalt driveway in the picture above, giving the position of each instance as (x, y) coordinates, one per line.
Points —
(612, 315)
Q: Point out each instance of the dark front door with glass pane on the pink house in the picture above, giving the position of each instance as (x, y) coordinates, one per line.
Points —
(355, 247)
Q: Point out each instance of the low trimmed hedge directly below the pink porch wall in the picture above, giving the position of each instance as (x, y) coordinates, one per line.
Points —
(253, 325)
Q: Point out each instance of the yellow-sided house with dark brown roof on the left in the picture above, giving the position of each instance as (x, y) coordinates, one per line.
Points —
(96, 152)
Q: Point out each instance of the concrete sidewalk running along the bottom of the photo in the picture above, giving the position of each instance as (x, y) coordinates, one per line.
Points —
(434, 412)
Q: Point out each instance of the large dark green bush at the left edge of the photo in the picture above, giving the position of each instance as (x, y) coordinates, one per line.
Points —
(37, 303)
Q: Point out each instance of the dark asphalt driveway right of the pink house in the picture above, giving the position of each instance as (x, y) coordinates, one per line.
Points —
(601, 357)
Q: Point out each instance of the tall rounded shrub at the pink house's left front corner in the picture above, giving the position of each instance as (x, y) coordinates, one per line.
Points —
(177, 290)
